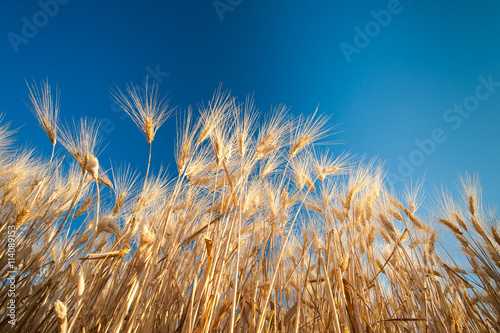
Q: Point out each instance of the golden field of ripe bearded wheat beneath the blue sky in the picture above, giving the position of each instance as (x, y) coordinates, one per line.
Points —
(259, 230)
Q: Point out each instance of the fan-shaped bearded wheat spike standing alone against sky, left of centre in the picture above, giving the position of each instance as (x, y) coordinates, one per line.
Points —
(145, 108)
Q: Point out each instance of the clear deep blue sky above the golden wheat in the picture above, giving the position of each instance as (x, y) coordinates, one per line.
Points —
(393, 90)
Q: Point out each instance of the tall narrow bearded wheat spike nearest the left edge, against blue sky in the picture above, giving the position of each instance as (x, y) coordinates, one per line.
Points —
(45, 107)
